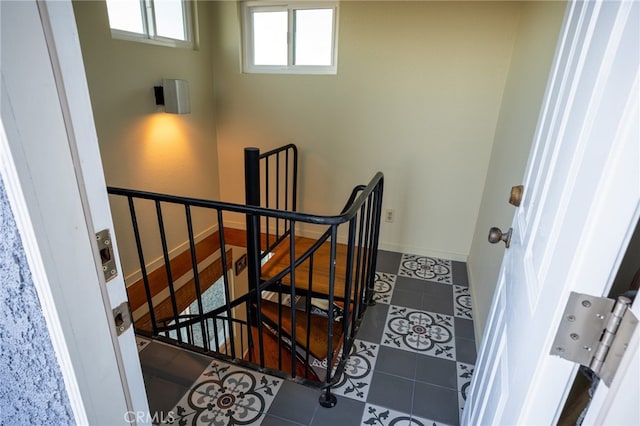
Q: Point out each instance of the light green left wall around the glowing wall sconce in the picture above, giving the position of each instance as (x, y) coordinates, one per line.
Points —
(143, 148)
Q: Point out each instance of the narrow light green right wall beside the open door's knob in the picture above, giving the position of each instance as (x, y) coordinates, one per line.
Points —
(536, 40)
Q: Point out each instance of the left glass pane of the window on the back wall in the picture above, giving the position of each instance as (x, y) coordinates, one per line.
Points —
(270, 38)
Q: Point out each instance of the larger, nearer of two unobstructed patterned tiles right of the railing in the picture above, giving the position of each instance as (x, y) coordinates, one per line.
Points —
(420, 331)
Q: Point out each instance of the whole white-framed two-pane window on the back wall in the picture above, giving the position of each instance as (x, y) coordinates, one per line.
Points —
(296, 38)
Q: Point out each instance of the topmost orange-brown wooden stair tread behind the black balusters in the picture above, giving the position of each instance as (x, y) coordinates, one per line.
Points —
(320, 274)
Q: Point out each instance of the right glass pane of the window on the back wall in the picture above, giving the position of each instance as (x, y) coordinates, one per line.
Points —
(314, 34)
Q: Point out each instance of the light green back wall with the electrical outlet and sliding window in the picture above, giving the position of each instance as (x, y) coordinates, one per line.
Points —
(417, 96)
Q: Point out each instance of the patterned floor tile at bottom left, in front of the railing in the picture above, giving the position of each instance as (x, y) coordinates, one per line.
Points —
(225, 394)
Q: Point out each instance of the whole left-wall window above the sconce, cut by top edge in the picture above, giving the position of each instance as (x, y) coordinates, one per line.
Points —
(166, 22)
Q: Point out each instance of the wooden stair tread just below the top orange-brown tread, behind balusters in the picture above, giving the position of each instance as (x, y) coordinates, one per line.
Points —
(318, 338)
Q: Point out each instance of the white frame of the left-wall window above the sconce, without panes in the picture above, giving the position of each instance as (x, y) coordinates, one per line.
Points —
(147, 9)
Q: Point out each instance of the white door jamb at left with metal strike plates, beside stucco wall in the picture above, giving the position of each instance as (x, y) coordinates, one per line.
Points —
(53, 170)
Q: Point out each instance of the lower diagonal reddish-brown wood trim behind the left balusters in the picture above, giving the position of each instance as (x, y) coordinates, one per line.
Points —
(186, 294)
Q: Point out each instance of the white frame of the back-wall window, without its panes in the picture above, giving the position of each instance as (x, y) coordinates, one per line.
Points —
(249, 7)
